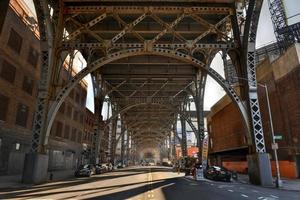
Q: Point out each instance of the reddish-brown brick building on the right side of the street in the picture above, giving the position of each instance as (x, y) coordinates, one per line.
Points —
(228, 142)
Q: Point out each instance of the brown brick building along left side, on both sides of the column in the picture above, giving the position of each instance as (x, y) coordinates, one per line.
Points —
(19, 76)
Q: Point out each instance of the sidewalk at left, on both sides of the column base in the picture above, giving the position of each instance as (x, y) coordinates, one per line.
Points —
(14, 181)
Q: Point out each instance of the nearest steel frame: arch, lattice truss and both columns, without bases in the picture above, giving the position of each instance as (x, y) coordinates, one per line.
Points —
(180, 49)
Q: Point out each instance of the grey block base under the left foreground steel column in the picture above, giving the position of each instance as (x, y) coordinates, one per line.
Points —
(35, 168)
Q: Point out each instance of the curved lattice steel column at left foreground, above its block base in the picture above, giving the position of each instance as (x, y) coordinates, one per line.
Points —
(47, 57)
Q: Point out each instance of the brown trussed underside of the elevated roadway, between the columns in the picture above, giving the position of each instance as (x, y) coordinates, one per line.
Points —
(149, 90)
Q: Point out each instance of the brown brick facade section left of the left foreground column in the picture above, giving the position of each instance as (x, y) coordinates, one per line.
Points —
(19, 74)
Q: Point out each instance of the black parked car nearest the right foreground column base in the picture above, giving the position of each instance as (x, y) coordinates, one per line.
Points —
(218, 173)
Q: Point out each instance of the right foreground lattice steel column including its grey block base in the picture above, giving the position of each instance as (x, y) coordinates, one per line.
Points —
(259, 166)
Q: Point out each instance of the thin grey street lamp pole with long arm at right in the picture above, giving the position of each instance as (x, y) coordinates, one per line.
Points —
(278, 181)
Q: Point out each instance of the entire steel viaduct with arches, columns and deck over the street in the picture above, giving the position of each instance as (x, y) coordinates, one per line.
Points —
(150, 58)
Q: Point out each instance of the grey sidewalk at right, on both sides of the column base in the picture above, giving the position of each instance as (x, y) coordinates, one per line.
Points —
(287, 184)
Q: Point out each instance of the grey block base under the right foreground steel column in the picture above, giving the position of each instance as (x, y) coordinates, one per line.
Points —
(259, 169)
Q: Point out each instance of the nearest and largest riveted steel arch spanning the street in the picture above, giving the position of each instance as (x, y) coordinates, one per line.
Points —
(134, 52)
